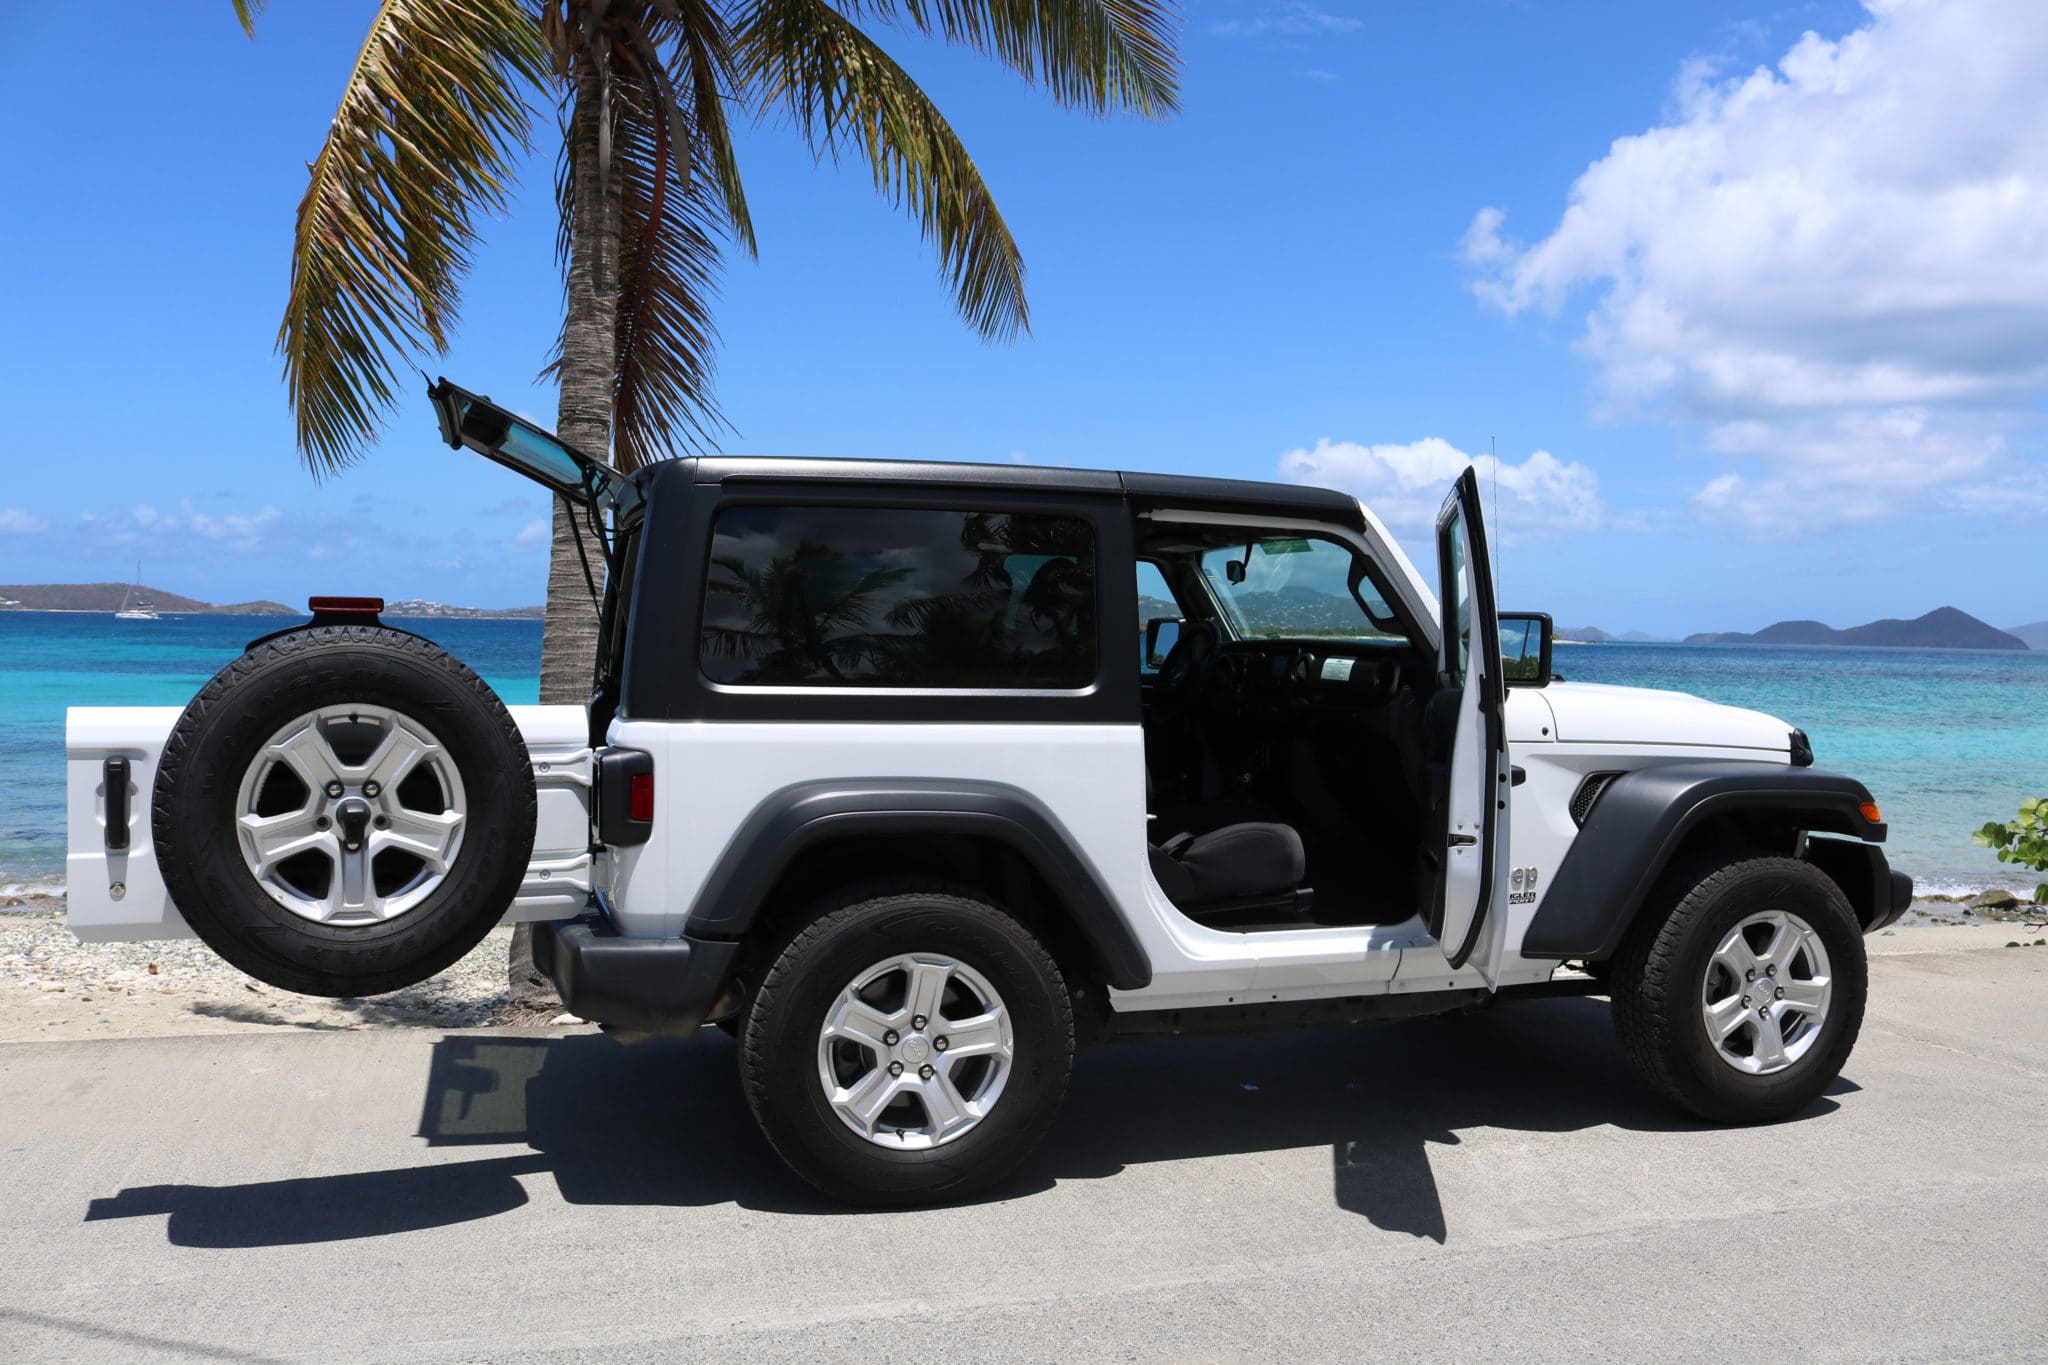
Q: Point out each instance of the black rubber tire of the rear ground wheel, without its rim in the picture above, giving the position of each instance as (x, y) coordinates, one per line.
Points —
(779, 1045)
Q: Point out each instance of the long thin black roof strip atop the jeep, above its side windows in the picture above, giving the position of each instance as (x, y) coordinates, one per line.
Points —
(1148, 490)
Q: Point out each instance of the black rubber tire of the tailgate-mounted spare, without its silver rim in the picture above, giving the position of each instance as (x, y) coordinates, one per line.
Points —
(224, 730)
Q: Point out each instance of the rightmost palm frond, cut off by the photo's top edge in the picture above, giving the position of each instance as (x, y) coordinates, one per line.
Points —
(1099, 56)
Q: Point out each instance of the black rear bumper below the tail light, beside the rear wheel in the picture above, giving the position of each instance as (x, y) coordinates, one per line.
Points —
(636, 985)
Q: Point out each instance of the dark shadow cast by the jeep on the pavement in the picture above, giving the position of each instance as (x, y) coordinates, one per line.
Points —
(667, 1125)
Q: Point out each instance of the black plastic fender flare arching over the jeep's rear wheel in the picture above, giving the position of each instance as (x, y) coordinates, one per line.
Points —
(810, 813)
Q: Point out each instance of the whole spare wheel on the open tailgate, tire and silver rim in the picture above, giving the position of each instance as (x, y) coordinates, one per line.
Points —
(343, 811)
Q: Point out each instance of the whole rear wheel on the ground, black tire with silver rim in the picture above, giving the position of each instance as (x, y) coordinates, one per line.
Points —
(908, 1049)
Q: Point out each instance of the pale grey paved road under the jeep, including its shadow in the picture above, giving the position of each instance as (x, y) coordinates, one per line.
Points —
(1478, 1188)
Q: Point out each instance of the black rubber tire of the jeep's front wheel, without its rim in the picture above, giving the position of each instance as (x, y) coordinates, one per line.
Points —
(1662, 971)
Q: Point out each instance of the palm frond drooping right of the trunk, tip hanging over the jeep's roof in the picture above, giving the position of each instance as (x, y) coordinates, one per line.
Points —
(839, 87)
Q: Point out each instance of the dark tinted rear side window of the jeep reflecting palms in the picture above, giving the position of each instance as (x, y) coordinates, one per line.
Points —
(900, 599)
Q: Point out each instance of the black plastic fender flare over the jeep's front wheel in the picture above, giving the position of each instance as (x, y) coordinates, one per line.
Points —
(1639, 824)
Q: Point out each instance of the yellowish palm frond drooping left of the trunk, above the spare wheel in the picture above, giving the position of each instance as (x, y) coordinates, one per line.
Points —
(423, 142)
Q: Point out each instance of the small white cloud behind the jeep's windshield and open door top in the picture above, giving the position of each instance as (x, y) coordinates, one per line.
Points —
(1406, 484)
